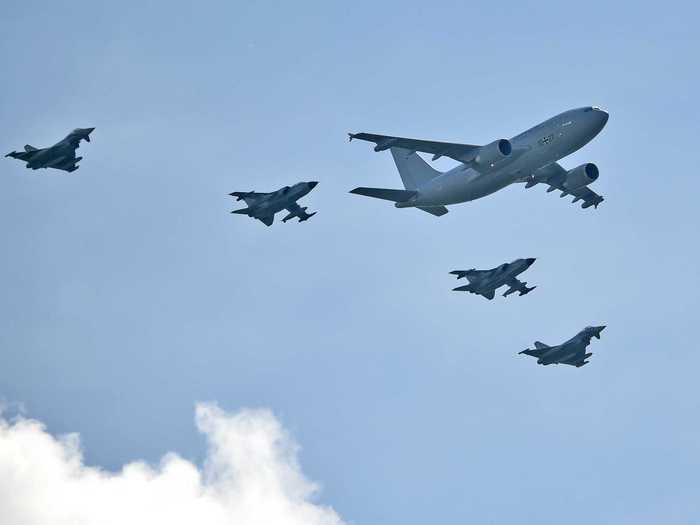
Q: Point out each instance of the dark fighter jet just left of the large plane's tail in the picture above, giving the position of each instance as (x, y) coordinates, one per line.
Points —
(263, 206)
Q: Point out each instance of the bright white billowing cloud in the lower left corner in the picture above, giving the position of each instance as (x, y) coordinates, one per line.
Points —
(250, 477)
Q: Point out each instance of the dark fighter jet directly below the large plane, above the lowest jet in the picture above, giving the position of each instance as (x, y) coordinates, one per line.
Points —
(485, 282)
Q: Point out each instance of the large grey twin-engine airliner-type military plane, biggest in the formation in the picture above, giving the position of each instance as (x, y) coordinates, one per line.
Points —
(530, 157)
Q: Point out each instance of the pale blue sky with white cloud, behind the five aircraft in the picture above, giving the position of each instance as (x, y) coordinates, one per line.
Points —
(132, 300)
